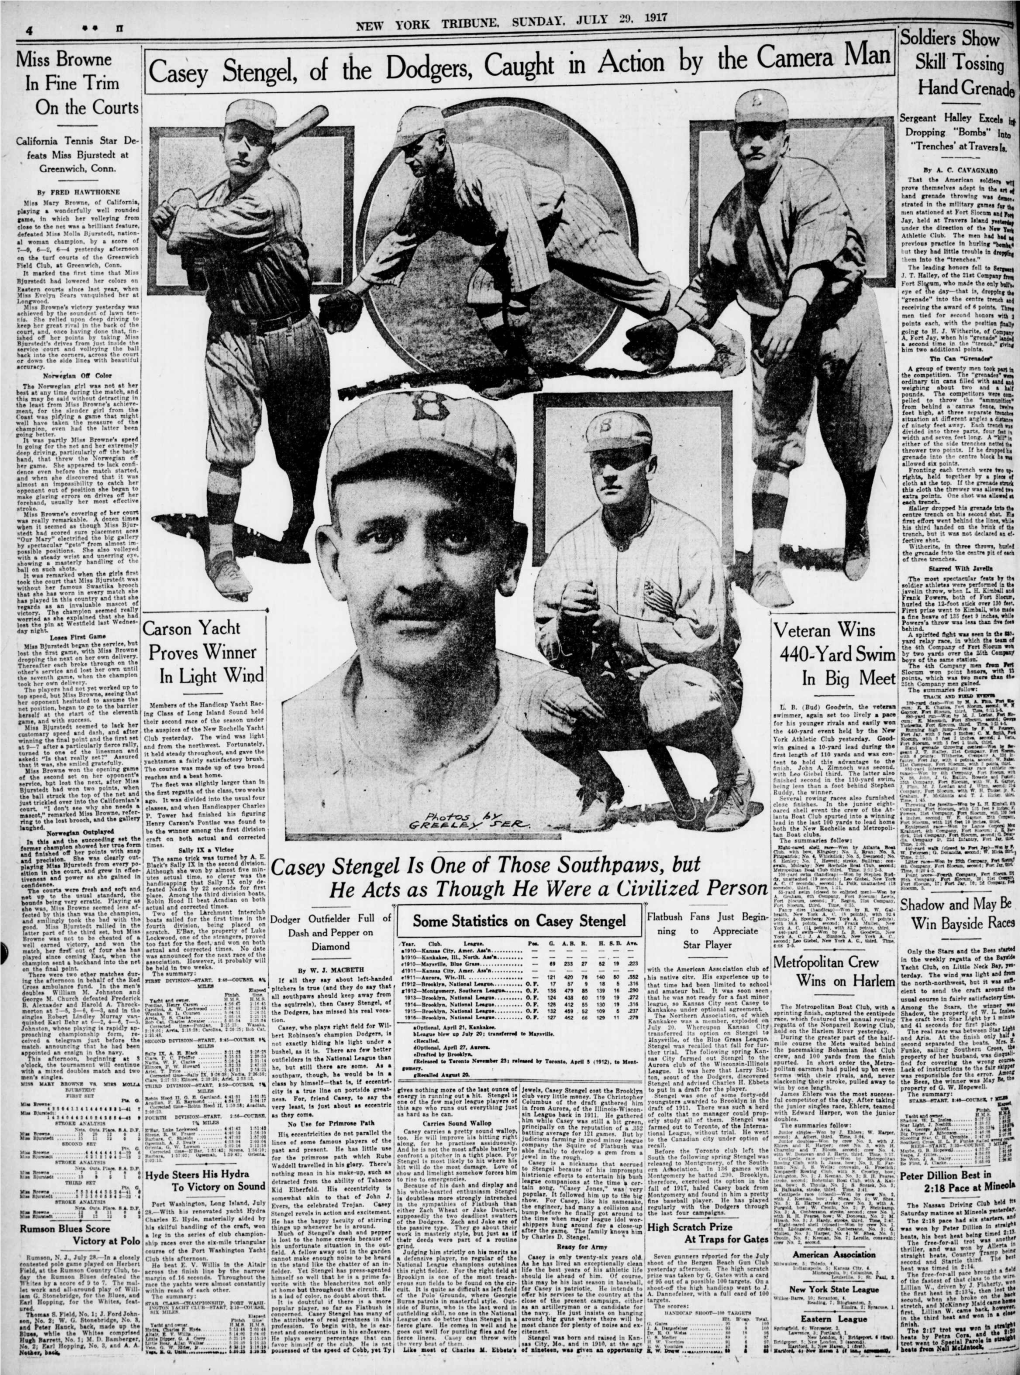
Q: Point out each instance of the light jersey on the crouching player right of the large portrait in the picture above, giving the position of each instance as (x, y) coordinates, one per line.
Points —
(667, 584)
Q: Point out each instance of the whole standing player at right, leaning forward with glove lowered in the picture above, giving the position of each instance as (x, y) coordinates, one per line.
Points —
(784, 245)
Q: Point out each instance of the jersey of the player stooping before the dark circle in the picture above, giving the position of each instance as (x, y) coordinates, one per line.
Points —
(493, 197)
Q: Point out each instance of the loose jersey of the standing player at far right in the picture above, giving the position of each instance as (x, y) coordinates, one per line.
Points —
(757, 244)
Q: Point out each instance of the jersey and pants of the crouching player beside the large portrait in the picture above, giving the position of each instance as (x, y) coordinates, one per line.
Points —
(678, 636)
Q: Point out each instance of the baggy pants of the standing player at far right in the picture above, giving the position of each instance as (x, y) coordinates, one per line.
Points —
(854, 401)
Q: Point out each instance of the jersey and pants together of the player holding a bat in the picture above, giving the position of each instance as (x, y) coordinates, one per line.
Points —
(263, 344)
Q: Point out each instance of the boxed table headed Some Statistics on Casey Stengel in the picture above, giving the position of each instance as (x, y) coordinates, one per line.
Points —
(545, 992)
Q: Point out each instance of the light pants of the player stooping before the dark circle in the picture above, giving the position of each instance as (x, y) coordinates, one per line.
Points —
(584, 244)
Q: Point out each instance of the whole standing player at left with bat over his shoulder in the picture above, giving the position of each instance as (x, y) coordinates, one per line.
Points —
(263, 347)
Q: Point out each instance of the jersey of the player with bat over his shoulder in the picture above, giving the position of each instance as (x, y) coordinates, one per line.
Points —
(248, 245)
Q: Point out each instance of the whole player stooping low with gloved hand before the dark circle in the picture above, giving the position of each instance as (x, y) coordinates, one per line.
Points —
(531, 222)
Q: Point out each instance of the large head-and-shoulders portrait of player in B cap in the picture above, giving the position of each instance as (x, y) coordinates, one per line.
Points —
(427, 728)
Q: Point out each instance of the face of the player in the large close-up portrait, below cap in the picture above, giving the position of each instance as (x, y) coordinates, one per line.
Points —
(420, 569)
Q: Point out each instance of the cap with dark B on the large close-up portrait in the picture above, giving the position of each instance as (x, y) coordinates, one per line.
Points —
(465, 431)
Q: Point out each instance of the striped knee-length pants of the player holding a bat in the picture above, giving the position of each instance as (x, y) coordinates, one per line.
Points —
(289, 371)
